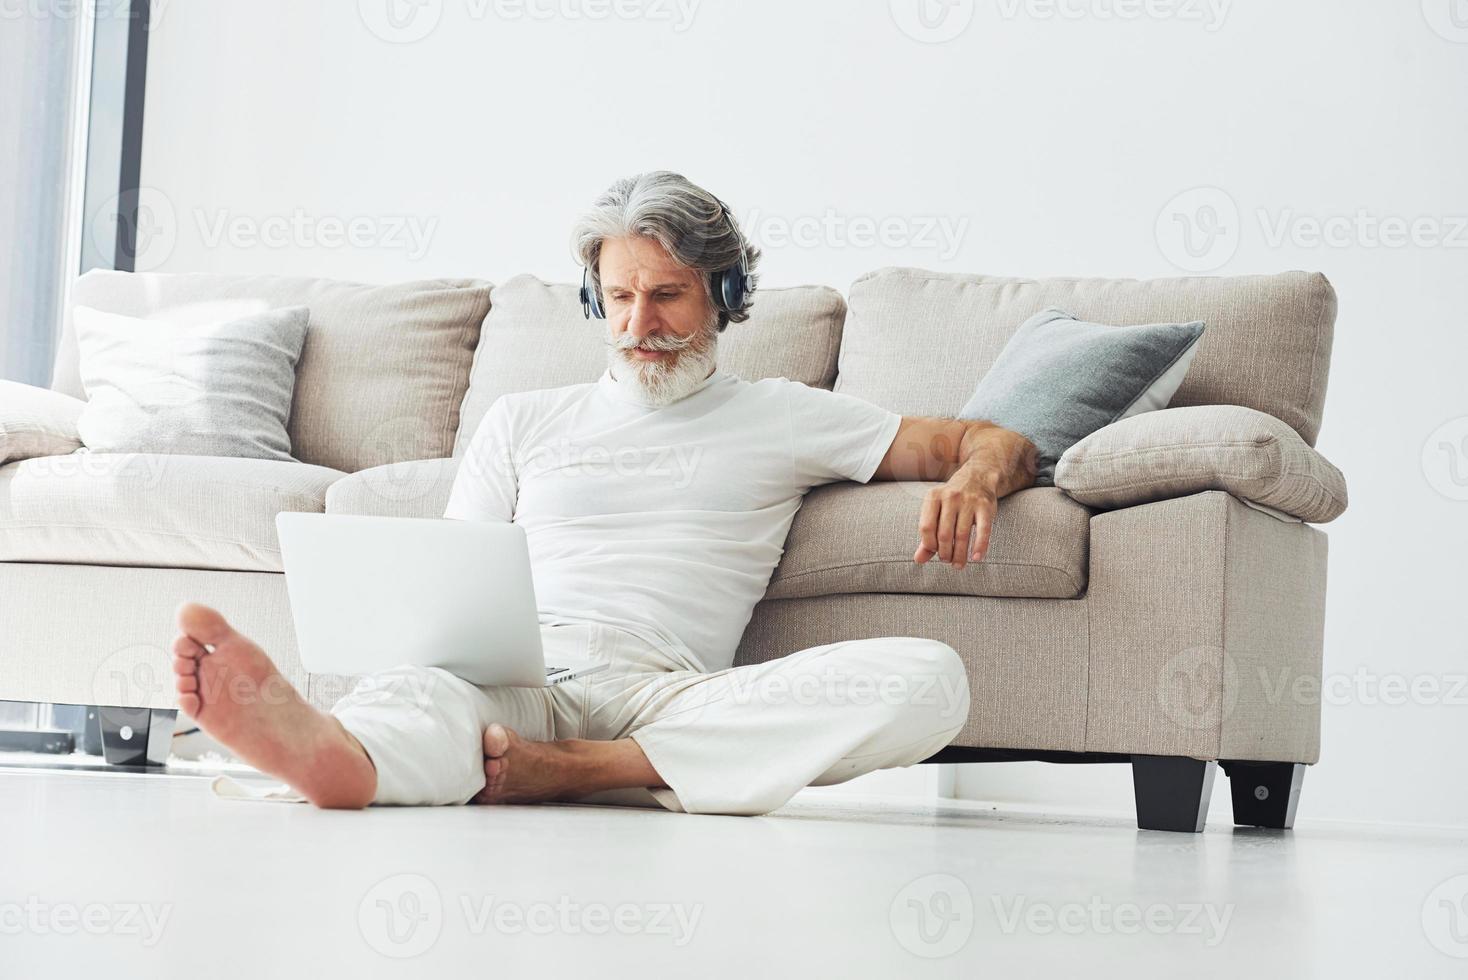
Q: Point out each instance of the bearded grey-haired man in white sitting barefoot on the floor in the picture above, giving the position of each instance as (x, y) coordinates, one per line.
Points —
(651, 567)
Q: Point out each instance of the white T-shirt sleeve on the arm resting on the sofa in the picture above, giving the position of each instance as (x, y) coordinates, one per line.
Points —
(837, 436)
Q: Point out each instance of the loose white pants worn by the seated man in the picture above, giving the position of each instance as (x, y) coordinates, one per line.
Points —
(738, 742)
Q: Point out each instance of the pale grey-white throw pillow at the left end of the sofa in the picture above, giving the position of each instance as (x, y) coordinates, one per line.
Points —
(218, 390)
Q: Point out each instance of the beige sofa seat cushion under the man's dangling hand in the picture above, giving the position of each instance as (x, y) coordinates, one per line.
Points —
(861, 539)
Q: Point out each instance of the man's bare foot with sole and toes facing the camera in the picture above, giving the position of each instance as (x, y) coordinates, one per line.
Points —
(237, 695)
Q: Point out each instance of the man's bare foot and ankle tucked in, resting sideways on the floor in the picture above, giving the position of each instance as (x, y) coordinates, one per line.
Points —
(522, 771)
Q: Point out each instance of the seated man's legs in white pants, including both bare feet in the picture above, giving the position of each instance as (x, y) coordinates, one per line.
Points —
(735, 742)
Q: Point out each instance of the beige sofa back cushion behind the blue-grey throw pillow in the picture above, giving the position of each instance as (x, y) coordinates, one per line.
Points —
(918, 343)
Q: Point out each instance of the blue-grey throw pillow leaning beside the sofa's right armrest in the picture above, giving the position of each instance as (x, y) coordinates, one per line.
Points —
(1061, 379)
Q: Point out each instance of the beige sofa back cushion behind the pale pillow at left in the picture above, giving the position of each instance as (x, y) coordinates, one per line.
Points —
(382, 373)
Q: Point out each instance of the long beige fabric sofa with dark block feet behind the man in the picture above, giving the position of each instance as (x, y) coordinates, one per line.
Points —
(1162, 607)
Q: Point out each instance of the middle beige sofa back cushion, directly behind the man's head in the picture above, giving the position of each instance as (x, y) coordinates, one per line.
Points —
(537, 337)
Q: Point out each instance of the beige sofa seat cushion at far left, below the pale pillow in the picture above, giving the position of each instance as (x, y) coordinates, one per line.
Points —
(159, 511)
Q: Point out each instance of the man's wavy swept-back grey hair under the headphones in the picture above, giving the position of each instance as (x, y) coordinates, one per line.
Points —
(691, 224)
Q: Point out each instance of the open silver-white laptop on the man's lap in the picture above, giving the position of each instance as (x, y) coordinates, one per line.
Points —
(377, 593)
